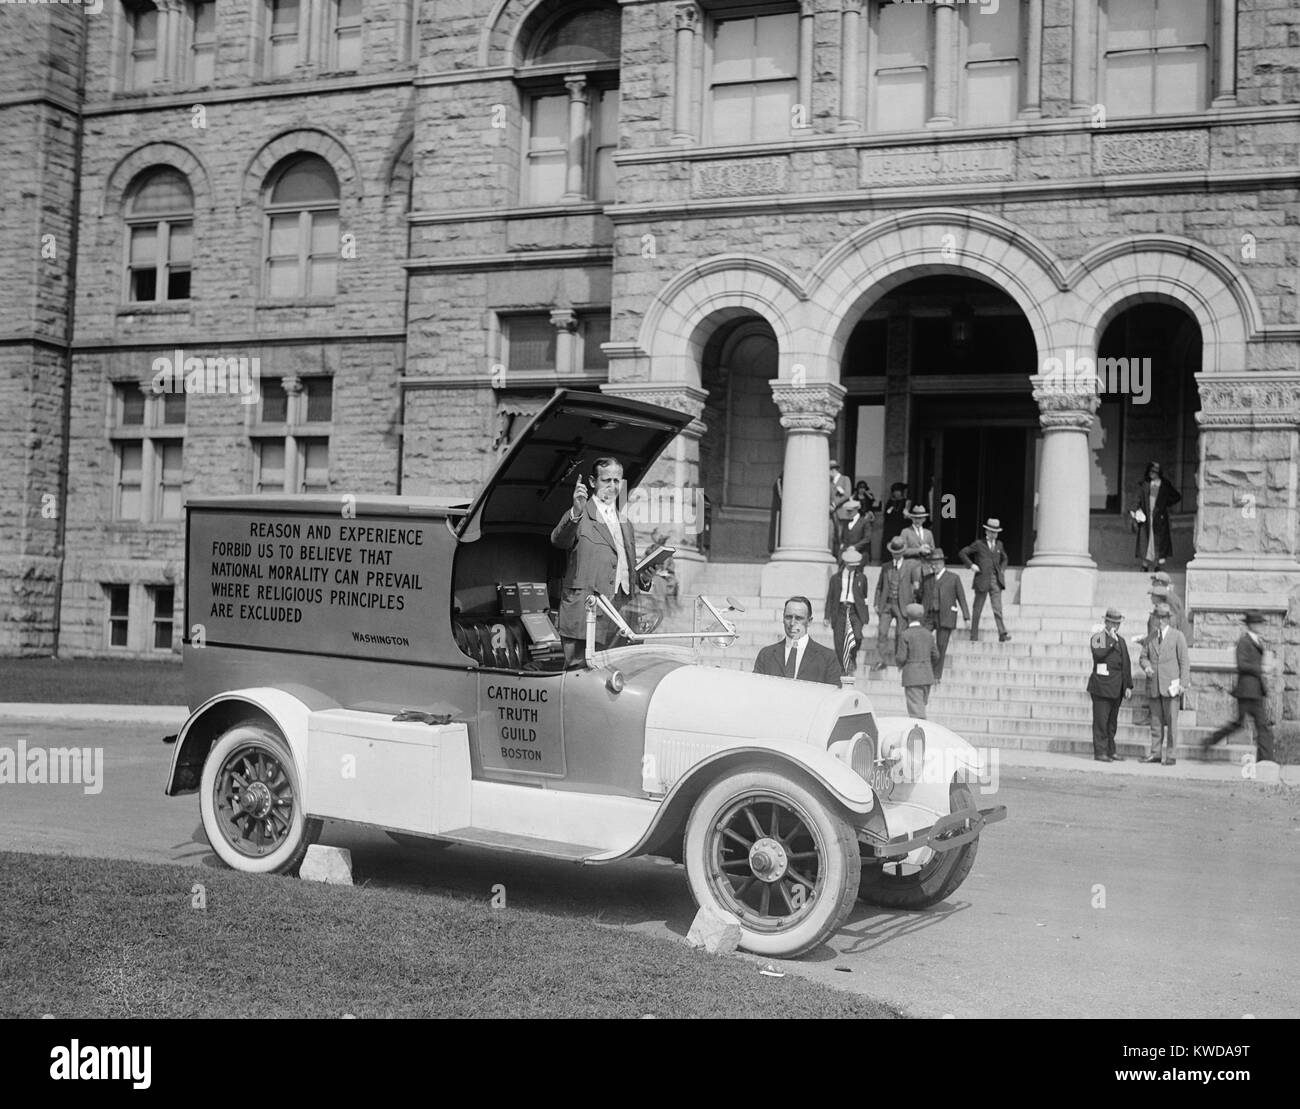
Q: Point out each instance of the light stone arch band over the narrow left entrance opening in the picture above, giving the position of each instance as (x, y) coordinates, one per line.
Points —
(708, 294)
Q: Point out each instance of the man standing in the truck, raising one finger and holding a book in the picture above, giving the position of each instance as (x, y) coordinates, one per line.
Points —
(603, 556)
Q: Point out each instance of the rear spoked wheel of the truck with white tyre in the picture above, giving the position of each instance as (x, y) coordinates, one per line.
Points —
(252, 803)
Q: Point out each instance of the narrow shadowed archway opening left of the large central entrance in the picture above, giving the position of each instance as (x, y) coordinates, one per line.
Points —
(744, 445)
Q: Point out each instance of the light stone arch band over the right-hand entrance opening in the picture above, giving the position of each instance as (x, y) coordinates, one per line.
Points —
(1171, 270)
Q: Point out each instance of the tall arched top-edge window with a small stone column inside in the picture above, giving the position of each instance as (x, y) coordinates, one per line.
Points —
(571, 119)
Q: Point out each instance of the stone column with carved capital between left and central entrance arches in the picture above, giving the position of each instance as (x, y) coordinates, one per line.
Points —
(803, 561)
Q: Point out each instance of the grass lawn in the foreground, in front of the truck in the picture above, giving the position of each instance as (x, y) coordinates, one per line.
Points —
(98, 938)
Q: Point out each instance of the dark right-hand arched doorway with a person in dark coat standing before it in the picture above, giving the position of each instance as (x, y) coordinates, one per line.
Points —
(1147, 363)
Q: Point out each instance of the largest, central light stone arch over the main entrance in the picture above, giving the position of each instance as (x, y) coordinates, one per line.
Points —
(899, 249)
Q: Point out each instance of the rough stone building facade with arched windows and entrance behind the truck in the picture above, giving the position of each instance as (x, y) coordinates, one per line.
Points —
(877, 232)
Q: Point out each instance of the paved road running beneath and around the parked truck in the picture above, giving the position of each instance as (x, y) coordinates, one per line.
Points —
(1201, 883)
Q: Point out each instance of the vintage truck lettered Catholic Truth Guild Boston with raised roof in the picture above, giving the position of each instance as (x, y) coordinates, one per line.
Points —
(365, 660)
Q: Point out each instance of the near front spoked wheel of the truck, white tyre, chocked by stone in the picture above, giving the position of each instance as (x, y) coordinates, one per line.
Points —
(777, 857)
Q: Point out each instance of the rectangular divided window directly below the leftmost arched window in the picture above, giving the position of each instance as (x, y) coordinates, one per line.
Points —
(149, 447)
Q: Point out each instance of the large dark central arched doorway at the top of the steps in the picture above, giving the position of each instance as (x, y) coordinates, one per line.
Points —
(939, 397)
